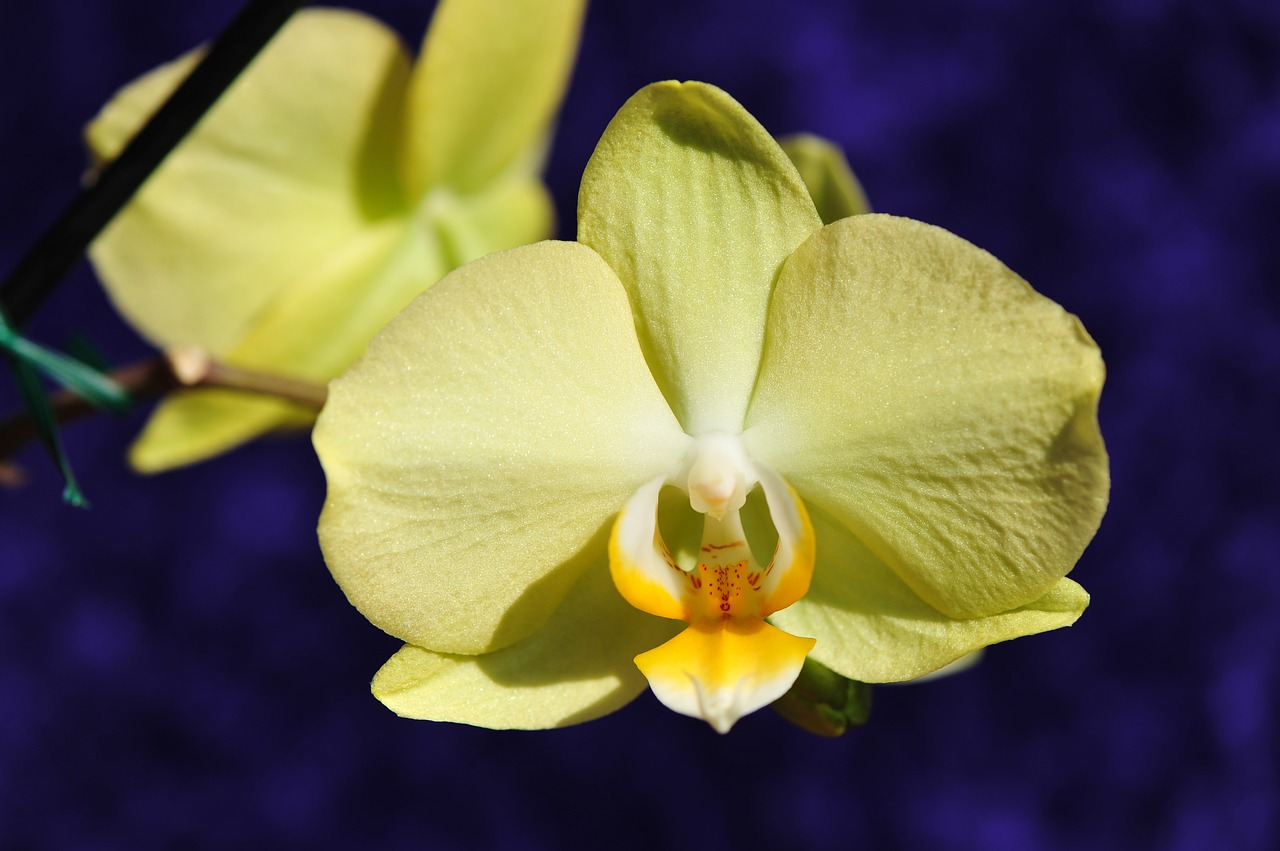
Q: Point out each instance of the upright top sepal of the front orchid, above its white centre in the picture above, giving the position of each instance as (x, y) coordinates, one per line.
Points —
(696, 207)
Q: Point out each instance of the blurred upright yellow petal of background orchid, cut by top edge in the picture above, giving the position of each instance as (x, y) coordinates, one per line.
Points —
(487, 88)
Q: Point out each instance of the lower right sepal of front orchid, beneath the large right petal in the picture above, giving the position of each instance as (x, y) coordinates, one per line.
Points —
(872, 628)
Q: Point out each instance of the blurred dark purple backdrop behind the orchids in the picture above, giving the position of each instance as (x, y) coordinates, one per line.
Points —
(177, 669)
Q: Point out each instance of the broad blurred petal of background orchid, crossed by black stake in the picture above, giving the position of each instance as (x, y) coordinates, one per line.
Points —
(294, 162)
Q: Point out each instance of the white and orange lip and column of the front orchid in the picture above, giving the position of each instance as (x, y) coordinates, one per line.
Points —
(730, 661)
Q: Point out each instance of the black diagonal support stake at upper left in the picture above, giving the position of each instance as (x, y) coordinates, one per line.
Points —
(62, 246)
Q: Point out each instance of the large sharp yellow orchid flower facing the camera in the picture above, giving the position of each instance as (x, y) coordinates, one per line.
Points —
(867, 442)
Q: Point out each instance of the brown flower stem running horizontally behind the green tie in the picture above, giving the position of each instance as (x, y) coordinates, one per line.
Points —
(176, 370)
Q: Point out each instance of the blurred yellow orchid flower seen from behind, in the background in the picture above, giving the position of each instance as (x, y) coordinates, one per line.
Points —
(331, 185)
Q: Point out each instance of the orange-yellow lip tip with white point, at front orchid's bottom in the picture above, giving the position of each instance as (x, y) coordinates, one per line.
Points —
(724, 670)
